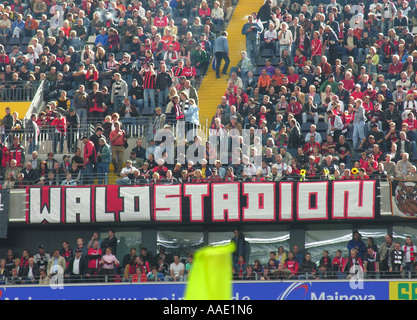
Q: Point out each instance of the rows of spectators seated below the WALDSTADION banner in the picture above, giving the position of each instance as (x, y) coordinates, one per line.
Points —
(98, 262)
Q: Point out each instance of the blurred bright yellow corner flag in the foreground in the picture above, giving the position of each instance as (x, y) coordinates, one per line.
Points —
(211, 274)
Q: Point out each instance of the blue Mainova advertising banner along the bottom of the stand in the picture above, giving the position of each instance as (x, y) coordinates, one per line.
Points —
(298, 290)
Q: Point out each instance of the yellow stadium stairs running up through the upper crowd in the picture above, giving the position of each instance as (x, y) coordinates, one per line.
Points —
(212, 89)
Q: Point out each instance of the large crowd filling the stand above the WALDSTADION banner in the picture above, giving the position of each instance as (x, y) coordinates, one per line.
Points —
(329, 87)
